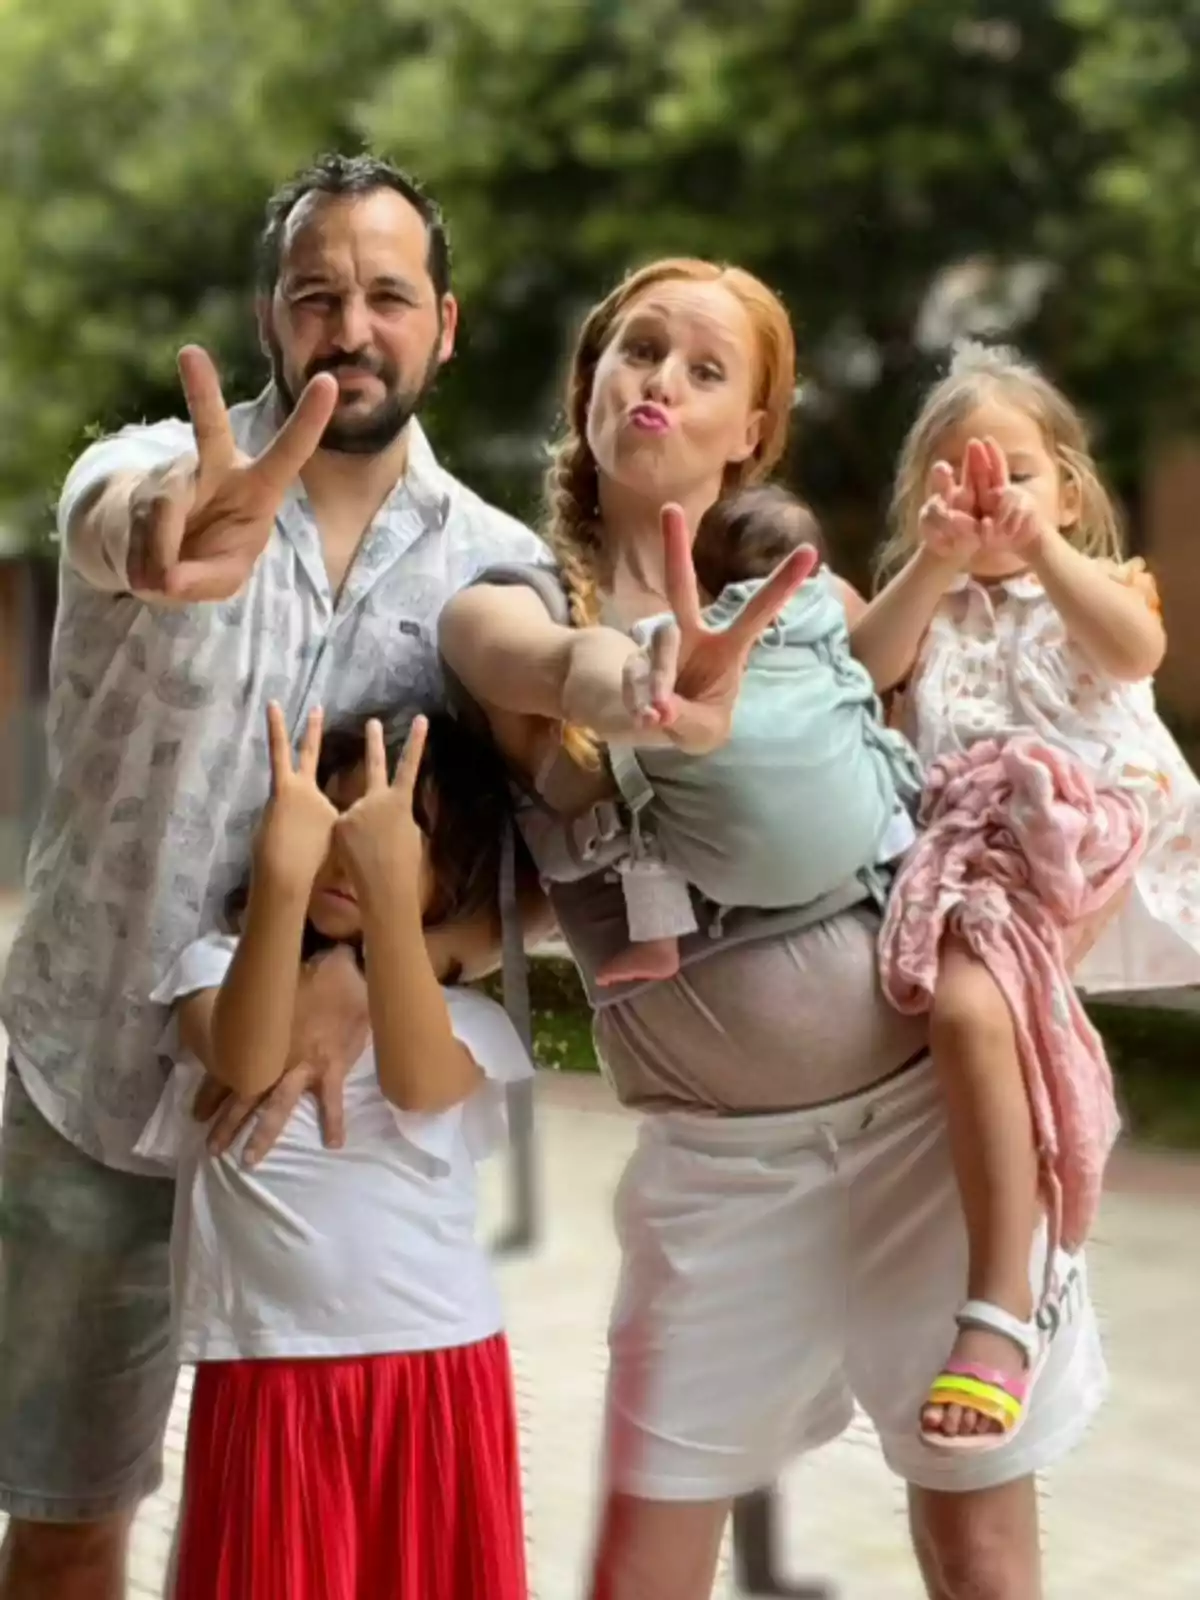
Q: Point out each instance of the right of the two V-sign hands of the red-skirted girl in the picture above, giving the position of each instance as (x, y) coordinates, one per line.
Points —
(380, 839)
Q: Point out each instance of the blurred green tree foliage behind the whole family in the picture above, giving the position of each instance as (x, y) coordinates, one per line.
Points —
(900, 170)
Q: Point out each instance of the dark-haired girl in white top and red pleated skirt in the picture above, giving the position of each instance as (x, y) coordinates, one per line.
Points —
(353, 1425)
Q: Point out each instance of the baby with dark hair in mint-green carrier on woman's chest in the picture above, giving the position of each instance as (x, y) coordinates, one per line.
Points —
(809, 758)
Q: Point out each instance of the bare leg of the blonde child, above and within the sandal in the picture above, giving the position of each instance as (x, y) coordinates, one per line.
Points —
(996, 1162)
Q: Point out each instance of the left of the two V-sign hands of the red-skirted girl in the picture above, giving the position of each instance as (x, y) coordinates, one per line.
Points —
(297, 828)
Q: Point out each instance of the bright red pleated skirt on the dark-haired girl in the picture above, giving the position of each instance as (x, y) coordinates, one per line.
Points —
(383, 1478)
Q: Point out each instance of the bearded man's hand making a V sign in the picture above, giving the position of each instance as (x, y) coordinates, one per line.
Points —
(199, 526)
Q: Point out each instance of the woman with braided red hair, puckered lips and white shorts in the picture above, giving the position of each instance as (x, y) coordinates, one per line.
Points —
(790, 1222)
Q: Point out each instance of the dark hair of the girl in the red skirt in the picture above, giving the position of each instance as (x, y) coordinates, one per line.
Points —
(462, 802)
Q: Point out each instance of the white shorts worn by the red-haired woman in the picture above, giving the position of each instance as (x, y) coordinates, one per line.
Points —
(777, 1270)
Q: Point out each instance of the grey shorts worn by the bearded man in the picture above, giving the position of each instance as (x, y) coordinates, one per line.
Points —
(87, 1374)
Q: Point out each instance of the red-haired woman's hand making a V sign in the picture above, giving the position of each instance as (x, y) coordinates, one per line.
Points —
(686, 684)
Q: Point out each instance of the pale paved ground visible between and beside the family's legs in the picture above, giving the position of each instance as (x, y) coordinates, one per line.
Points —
(1121, 1518)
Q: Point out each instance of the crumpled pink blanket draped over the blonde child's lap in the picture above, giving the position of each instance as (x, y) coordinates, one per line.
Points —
(1020, 847)
